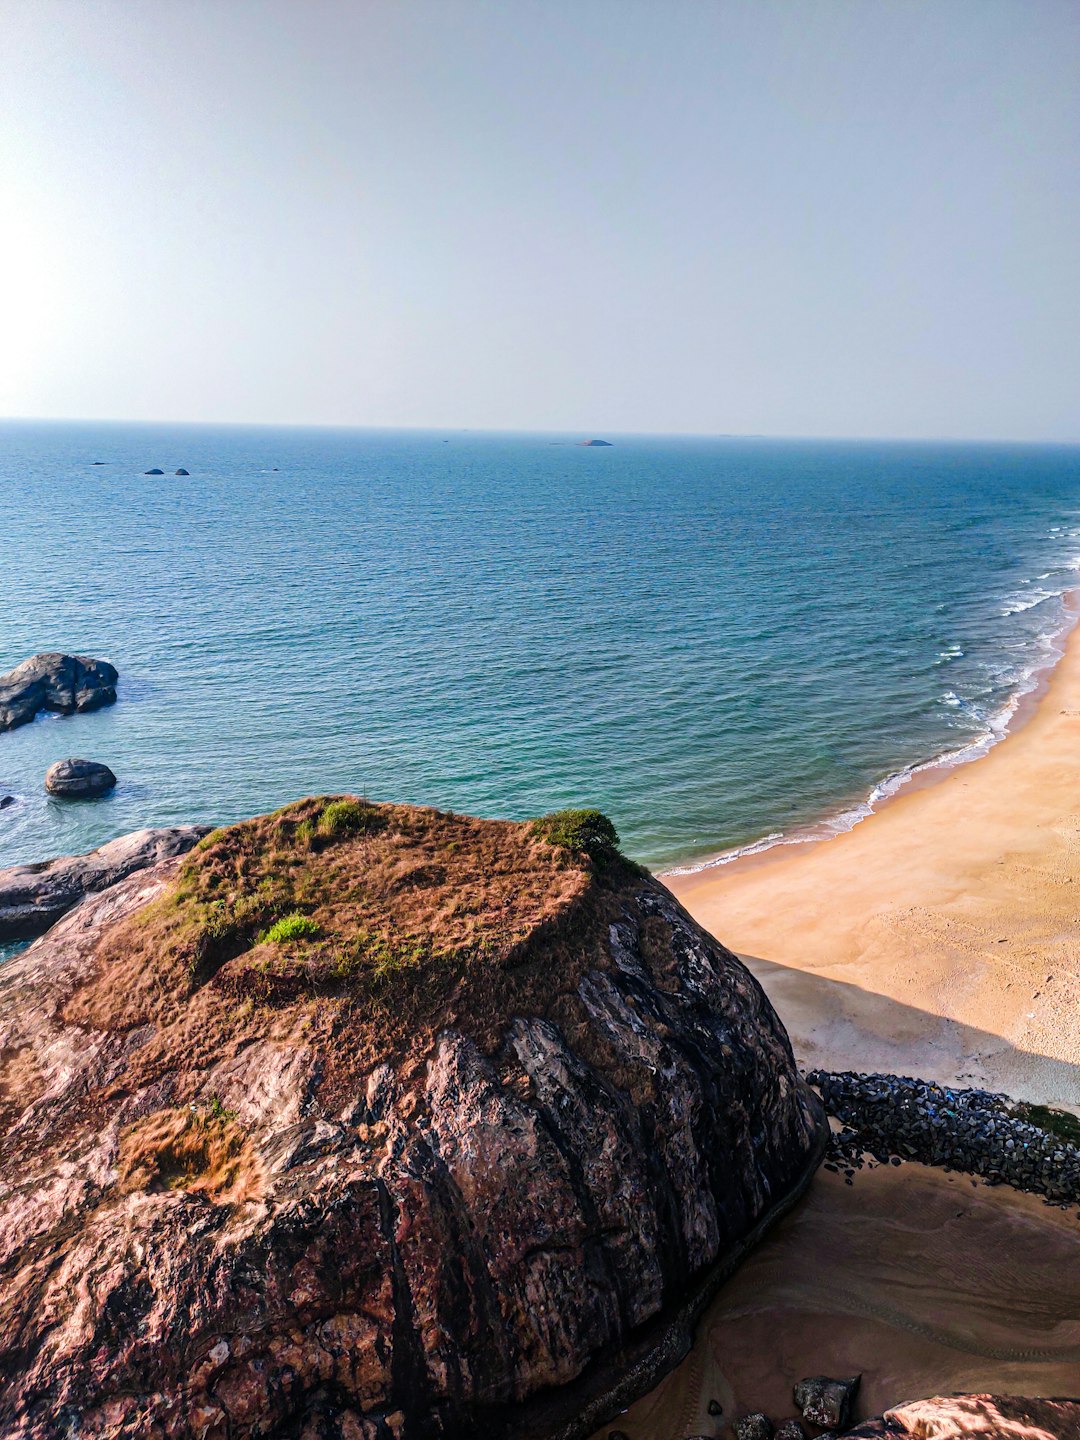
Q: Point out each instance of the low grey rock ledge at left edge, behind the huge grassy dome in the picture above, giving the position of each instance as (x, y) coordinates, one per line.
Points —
(32, 898)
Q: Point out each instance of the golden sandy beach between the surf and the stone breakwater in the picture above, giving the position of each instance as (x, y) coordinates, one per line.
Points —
(941, 937)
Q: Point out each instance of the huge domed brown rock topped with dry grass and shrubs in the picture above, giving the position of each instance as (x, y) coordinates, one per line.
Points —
(375, 1122)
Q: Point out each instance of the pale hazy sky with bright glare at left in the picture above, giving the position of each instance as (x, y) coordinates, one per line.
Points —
(796, 218)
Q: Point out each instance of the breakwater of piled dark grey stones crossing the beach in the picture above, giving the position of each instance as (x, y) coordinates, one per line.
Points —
(973, 1131)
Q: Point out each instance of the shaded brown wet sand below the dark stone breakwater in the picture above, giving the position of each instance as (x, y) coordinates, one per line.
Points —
(919, 1281)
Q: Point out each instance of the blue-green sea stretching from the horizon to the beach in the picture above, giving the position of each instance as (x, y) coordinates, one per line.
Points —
(712, 640)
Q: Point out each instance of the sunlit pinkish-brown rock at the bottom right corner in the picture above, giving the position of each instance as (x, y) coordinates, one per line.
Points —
(990, 1418)
